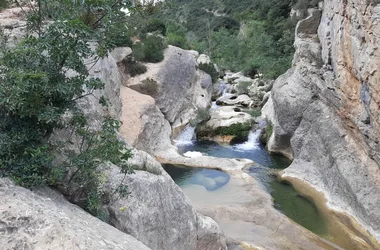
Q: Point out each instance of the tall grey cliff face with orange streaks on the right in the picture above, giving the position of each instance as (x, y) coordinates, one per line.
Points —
(325, 110)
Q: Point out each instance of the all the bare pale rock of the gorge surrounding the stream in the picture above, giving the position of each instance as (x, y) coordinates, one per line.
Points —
(324, 114)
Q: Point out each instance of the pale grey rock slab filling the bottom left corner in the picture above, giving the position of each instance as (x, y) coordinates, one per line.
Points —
(45, 220)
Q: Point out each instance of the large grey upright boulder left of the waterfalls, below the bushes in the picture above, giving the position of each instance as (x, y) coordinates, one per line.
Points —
(178, 87)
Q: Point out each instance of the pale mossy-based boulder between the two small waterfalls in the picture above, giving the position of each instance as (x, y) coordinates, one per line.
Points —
(227, 124)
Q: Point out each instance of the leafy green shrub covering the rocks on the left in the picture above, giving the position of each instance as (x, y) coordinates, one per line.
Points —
(36, 90)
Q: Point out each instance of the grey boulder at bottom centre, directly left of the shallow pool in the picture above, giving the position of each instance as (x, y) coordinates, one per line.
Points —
(158, 213)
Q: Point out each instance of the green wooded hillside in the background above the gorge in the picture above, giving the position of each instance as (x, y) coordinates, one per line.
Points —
(249, 35)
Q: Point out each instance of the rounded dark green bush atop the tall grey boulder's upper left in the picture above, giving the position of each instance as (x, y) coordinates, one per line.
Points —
(151, 49)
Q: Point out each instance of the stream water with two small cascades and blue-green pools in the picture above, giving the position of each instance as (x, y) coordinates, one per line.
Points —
(286, 199)
